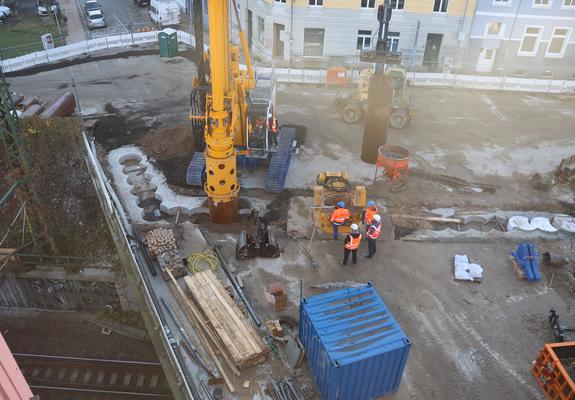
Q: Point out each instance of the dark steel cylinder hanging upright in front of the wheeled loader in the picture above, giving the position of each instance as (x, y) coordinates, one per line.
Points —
(377, 116)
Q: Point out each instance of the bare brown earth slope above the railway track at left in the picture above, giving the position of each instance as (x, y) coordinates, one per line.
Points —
(66, 200)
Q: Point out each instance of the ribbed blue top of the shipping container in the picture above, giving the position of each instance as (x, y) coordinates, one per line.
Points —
(353, 324)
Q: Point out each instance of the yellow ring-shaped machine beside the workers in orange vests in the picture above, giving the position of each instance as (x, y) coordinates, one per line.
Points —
(331, 188)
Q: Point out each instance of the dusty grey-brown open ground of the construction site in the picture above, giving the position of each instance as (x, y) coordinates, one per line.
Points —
(470, 340)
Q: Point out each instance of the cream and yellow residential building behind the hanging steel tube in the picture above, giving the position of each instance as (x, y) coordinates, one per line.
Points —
(431, 34)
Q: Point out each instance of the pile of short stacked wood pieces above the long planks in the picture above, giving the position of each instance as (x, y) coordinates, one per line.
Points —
(162, 247)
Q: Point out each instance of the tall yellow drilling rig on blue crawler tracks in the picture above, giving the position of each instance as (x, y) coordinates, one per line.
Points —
(233, 114)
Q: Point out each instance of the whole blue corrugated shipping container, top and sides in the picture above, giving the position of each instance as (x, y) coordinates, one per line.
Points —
(355, 348)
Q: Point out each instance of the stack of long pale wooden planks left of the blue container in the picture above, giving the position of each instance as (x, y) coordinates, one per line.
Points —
(229, 326)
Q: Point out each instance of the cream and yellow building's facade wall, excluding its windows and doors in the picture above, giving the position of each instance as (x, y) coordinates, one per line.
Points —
(342, 19)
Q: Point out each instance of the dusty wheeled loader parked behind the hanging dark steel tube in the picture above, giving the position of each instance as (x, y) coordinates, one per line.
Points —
(352, 105)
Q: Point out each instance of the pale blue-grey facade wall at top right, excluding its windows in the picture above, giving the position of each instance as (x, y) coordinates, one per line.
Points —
(514, 19)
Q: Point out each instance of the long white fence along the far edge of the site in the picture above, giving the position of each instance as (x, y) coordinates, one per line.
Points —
(306, 76)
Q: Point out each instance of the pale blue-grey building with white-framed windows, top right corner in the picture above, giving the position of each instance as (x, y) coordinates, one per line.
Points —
(531, 38)
